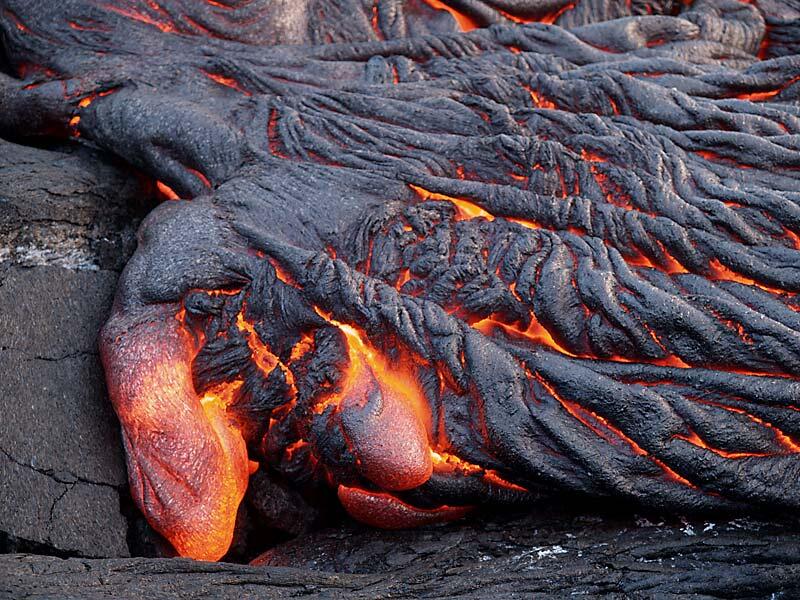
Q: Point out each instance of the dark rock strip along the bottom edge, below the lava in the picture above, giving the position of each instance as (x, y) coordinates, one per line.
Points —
(542, 555)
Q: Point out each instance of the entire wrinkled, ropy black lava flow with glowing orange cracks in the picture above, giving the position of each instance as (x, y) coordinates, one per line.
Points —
(434, 254)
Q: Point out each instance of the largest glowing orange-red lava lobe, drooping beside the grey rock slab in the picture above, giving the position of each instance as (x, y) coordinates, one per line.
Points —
(187, 463)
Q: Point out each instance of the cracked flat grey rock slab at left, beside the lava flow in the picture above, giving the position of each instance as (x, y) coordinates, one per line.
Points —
(67, 223)
